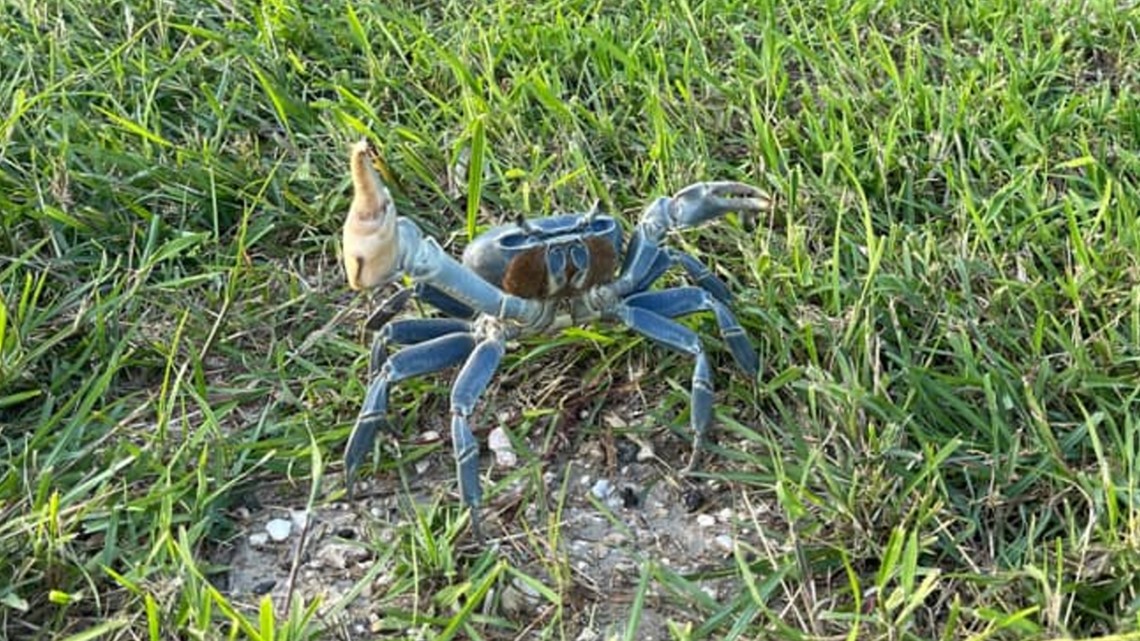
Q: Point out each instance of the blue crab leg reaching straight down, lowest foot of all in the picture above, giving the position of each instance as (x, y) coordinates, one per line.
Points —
(469, 386)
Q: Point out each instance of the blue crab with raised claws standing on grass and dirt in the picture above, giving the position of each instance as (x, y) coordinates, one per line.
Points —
(528, 278)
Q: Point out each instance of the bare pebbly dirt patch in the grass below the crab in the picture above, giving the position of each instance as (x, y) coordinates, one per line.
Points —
(587, 524)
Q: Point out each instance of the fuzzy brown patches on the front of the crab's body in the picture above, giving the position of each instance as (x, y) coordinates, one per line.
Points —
(527, 277)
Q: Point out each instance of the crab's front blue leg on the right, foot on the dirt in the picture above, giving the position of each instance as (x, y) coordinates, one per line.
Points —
(673, 335)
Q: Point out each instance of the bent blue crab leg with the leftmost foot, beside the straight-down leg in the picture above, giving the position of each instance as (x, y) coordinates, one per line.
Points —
(422, 359)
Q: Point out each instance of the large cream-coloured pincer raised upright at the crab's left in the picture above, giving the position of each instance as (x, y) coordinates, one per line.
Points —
(371, 241)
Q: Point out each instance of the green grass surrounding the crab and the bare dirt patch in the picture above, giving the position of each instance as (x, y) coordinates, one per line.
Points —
(947, 303)
